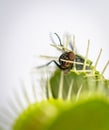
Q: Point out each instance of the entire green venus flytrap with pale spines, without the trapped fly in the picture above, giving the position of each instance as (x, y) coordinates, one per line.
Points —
(75, 99)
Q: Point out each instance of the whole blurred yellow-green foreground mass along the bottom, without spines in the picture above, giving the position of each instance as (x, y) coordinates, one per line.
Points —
(85, 114)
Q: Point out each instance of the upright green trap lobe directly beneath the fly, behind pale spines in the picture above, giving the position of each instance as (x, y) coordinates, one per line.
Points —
(90, 83)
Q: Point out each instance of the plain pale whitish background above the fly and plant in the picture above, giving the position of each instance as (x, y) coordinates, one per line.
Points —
(24, 31)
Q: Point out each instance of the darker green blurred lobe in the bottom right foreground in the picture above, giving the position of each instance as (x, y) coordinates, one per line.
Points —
(92, 114)
